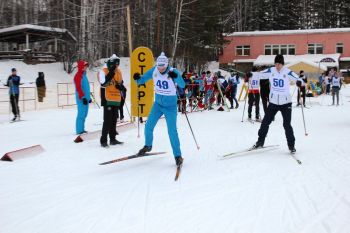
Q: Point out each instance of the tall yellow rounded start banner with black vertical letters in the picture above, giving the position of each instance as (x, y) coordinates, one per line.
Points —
(141, 96)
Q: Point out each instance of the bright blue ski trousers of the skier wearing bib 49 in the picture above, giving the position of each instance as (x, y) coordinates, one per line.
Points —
(170, 113)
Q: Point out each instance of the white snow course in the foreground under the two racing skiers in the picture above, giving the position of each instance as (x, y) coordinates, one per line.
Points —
(65, 190)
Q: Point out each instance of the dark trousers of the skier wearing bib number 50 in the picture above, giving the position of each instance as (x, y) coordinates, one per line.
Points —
(286, 111)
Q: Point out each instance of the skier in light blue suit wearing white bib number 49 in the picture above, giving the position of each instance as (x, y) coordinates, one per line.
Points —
(165, 79)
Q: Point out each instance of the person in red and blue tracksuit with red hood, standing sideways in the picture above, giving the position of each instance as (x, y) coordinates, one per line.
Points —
(82, 96)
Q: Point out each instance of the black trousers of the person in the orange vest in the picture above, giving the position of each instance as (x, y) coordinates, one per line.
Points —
(110, 115)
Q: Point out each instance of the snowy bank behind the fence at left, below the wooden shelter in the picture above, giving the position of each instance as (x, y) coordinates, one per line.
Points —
(54, 74)
